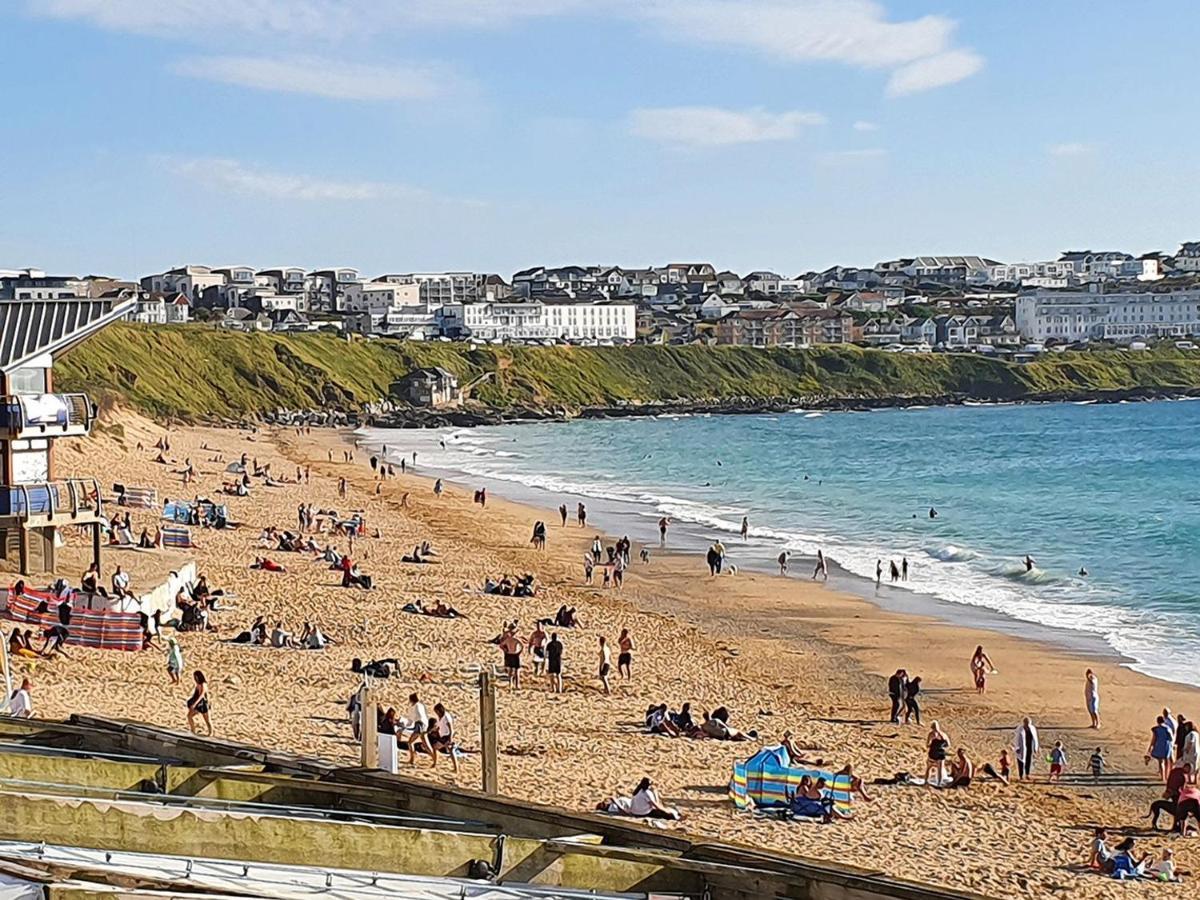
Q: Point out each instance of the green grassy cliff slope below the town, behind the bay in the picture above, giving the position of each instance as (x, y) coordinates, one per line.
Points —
(199, 373)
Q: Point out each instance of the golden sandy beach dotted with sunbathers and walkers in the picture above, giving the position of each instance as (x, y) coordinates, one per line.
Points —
(781, 653)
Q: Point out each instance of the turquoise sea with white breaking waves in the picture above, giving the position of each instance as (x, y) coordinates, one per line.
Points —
(1114, 489)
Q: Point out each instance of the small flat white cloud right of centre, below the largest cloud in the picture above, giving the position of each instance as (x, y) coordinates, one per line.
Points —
(713, 127)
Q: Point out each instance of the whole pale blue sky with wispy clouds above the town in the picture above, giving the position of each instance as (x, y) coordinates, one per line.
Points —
(494, 135)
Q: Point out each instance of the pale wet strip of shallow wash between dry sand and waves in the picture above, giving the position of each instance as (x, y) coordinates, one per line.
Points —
(615, 518)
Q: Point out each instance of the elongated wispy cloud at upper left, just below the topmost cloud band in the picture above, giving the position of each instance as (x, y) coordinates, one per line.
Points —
(319, 77)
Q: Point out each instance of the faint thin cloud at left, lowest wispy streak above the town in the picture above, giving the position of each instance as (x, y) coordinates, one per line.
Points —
(235, 177)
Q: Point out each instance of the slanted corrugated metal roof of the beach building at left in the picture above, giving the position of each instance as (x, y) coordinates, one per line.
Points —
(29, 328)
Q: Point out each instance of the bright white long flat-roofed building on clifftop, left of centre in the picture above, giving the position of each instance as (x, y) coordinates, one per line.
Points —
(561, 320)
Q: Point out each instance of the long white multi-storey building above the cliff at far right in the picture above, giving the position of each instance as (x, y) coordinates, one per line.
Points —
(1121, 317)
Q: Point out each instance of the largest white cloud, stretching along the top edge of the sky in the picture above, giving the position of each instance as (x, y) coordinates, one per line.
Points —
(859, 33)
